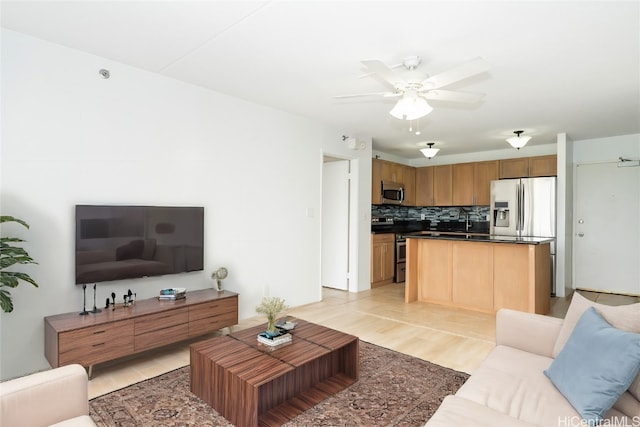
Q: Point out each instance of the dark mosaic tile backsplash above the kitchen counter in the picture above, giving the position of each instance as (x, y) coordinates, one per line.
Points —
(433, 214)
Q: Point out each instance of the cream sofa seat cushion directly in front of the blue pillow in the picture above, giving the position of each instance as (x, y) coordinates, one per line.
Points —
(512, 382)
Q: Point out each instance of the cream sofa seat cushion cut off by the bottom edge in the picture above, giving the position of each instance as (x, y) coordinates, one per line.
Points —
(459, 412)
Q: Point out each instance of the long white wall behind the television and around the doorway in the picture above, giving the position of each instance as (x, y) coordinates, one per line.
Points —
(70, 137)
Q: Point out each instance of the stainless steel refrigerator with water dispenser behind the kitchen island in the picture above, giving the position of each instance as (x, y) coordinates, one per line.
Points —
(525, 207)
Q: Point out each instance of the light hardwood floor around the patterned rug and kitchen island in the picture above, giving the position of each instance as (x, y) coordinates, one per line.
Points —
(454, 338)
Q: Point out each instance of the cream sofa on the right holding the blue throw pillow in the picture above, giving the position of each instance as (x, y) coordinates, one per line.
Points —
(510, 387)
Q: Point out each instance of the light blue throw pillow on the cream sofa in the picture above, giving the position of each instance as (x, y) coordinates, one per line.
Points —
(597, 364)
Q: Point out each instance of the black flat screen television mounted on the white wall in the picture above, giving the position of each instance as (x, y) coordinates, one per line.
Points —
(125, 242)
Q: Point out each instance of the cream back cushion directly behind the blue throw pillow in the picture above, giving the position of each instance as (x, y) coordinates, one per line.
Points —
(625, 317)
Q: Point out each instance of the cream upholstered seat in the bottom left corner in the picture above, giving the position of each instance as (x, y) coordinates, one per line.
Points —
(57, 397)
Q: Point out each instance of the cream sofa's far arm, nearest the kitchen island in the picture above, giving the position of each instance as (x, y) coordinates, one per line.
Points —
(529, 332)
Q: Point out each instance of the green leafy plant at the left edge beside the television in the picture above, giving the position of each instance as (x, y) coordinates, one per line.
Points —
(10, 255)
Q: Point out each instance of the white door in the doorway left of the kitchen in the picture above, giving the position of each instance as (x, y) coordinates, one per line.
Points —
(335, 224)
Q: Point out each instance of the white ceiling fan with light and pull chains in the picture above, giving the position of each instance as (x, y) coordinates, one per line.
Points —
(415, 88)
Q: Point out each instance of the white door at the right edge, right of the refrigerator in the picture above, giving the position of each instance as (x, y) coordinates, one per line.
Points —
(606, 228)
